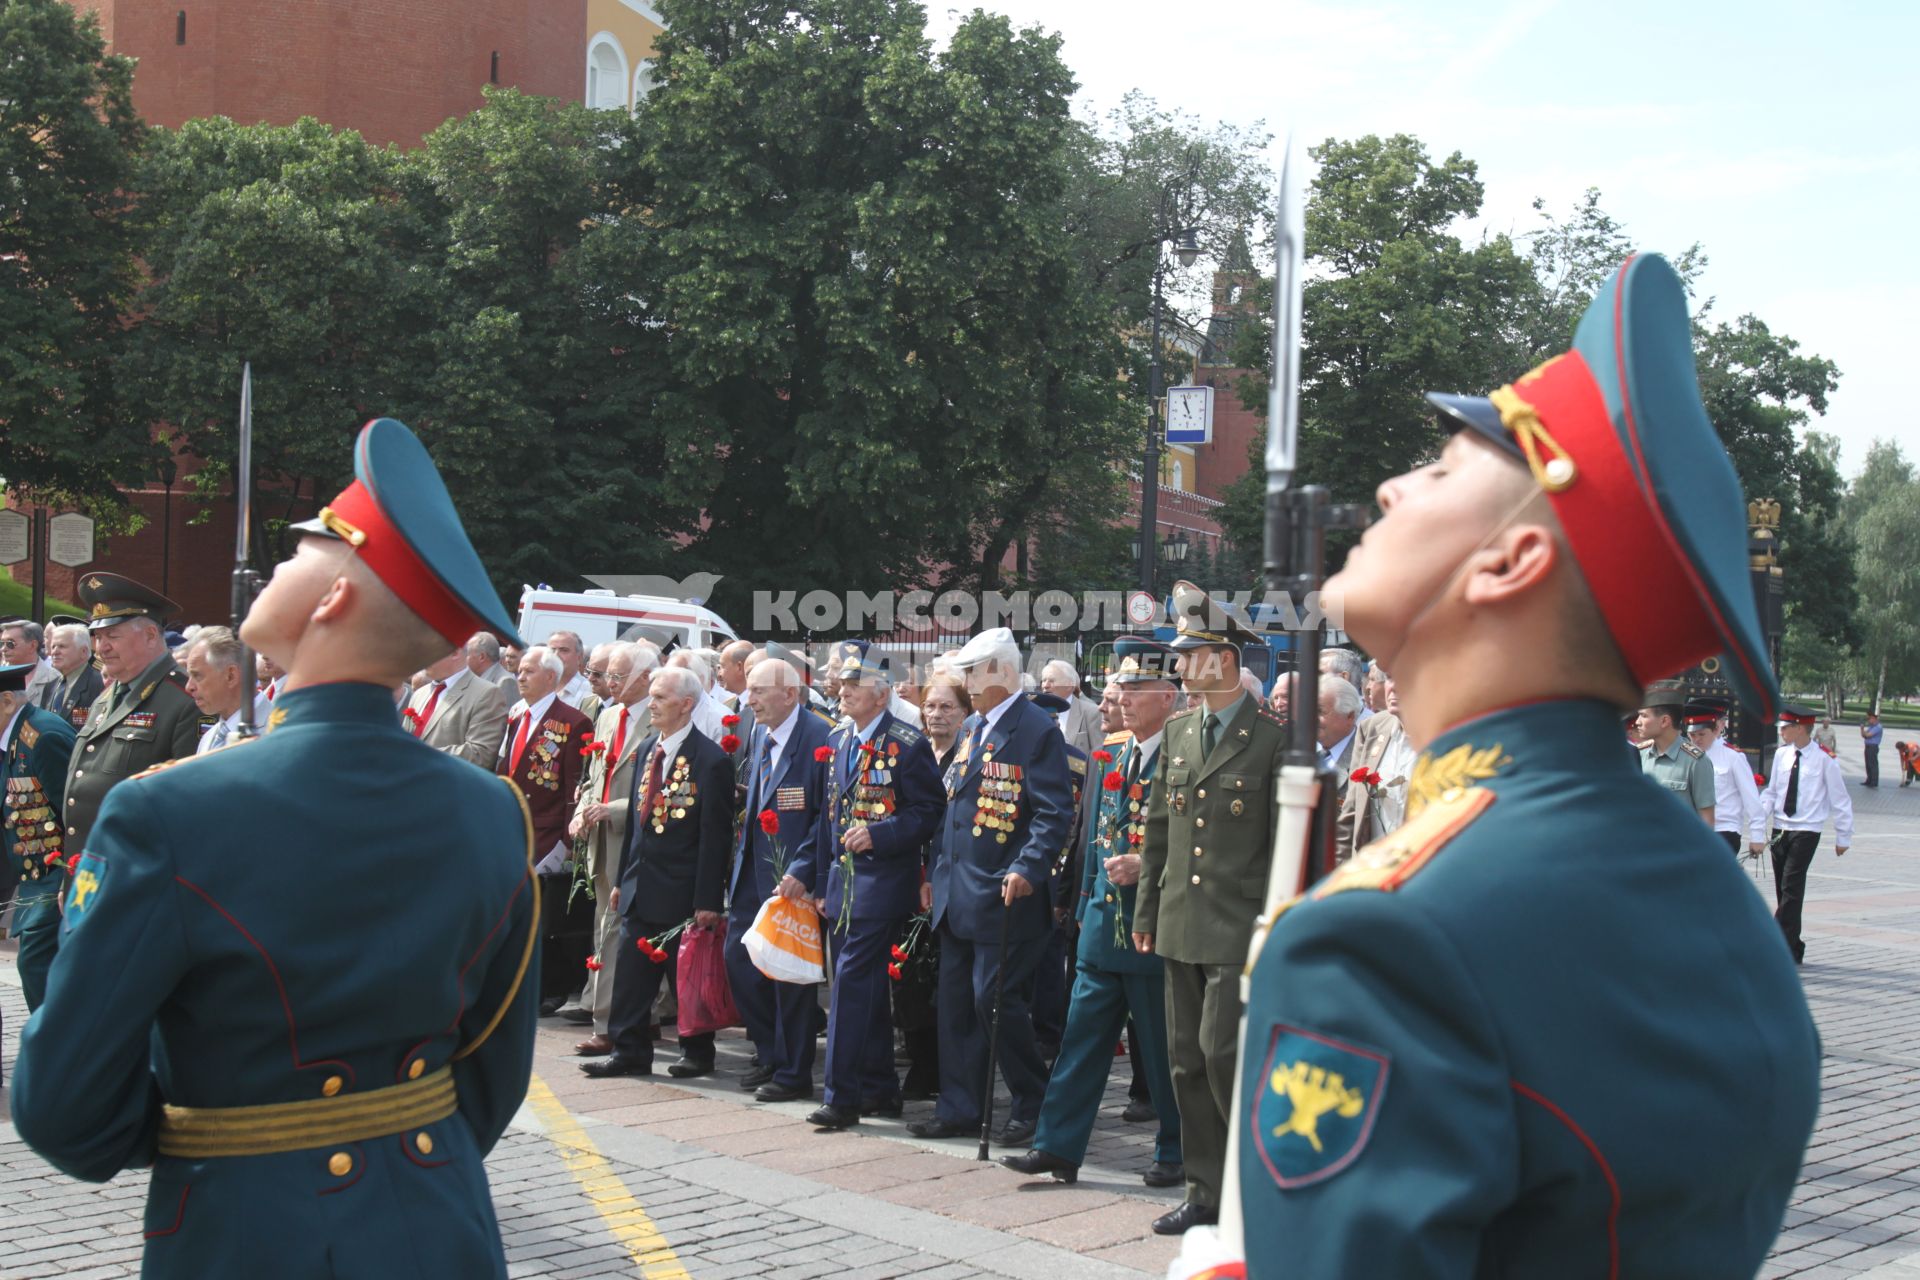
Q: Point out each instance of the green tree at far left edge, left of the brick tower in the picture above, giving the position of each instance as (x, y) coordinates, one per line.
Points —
(68, 143)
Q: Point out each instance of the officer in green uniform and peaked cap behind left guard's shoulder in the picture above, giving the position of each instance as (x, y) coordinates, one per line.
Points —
(143, 719)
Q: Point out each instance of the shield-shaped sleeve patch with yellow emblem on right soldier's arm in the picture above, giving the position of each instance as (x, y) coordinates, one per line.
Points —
(1316, 1104)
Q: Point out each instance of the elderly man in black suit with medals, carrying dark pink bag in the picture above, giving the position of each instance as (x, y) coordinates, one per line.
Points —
(673, 870)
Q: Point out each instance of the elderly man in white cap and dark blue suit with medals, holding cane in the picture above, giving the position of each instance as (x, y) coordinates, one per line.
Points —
(1009, 815)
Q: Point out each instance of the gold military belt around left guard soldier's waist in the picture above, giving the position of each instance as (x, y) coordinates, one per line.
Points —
(203, 1133)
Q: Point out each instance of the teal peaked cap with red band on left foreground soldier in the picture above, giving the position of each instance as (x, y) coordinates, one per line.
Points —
(400, 521)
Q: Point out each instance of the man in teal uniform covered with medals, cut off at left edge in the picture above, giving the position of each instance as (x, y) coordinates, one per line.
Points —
(37, 749)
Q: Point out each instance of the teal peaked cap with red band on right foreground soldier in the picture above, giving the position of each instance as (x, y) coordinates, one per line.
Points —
(1618, 437)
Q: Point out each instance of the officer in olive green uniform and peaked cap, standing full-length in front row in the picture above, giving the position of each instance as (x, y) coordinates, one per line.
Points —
(1207, 853)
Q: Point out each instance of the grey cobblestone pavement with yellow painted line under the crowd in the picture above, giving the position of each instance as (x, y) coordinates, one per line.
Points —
(661, 1181)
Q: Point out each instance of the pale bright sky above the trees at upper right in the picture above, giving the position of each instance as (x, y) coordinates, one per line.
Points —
(1775, 135)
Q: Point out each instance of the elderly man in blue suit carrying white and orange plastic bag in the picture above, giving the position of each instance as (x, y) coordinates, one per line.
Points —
(786, 776)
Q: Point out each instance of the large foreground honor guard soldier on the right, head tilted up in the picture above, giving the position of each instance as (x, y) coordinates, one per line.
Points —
(1543, 1030)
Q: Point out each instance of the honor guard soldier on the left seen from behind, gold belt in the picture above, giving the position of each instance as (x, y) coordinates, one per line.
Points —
(287, 984)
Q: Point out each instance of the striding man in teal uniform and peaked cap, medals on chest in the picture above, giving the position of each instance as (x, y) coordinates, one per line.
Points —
(1115, 980)
